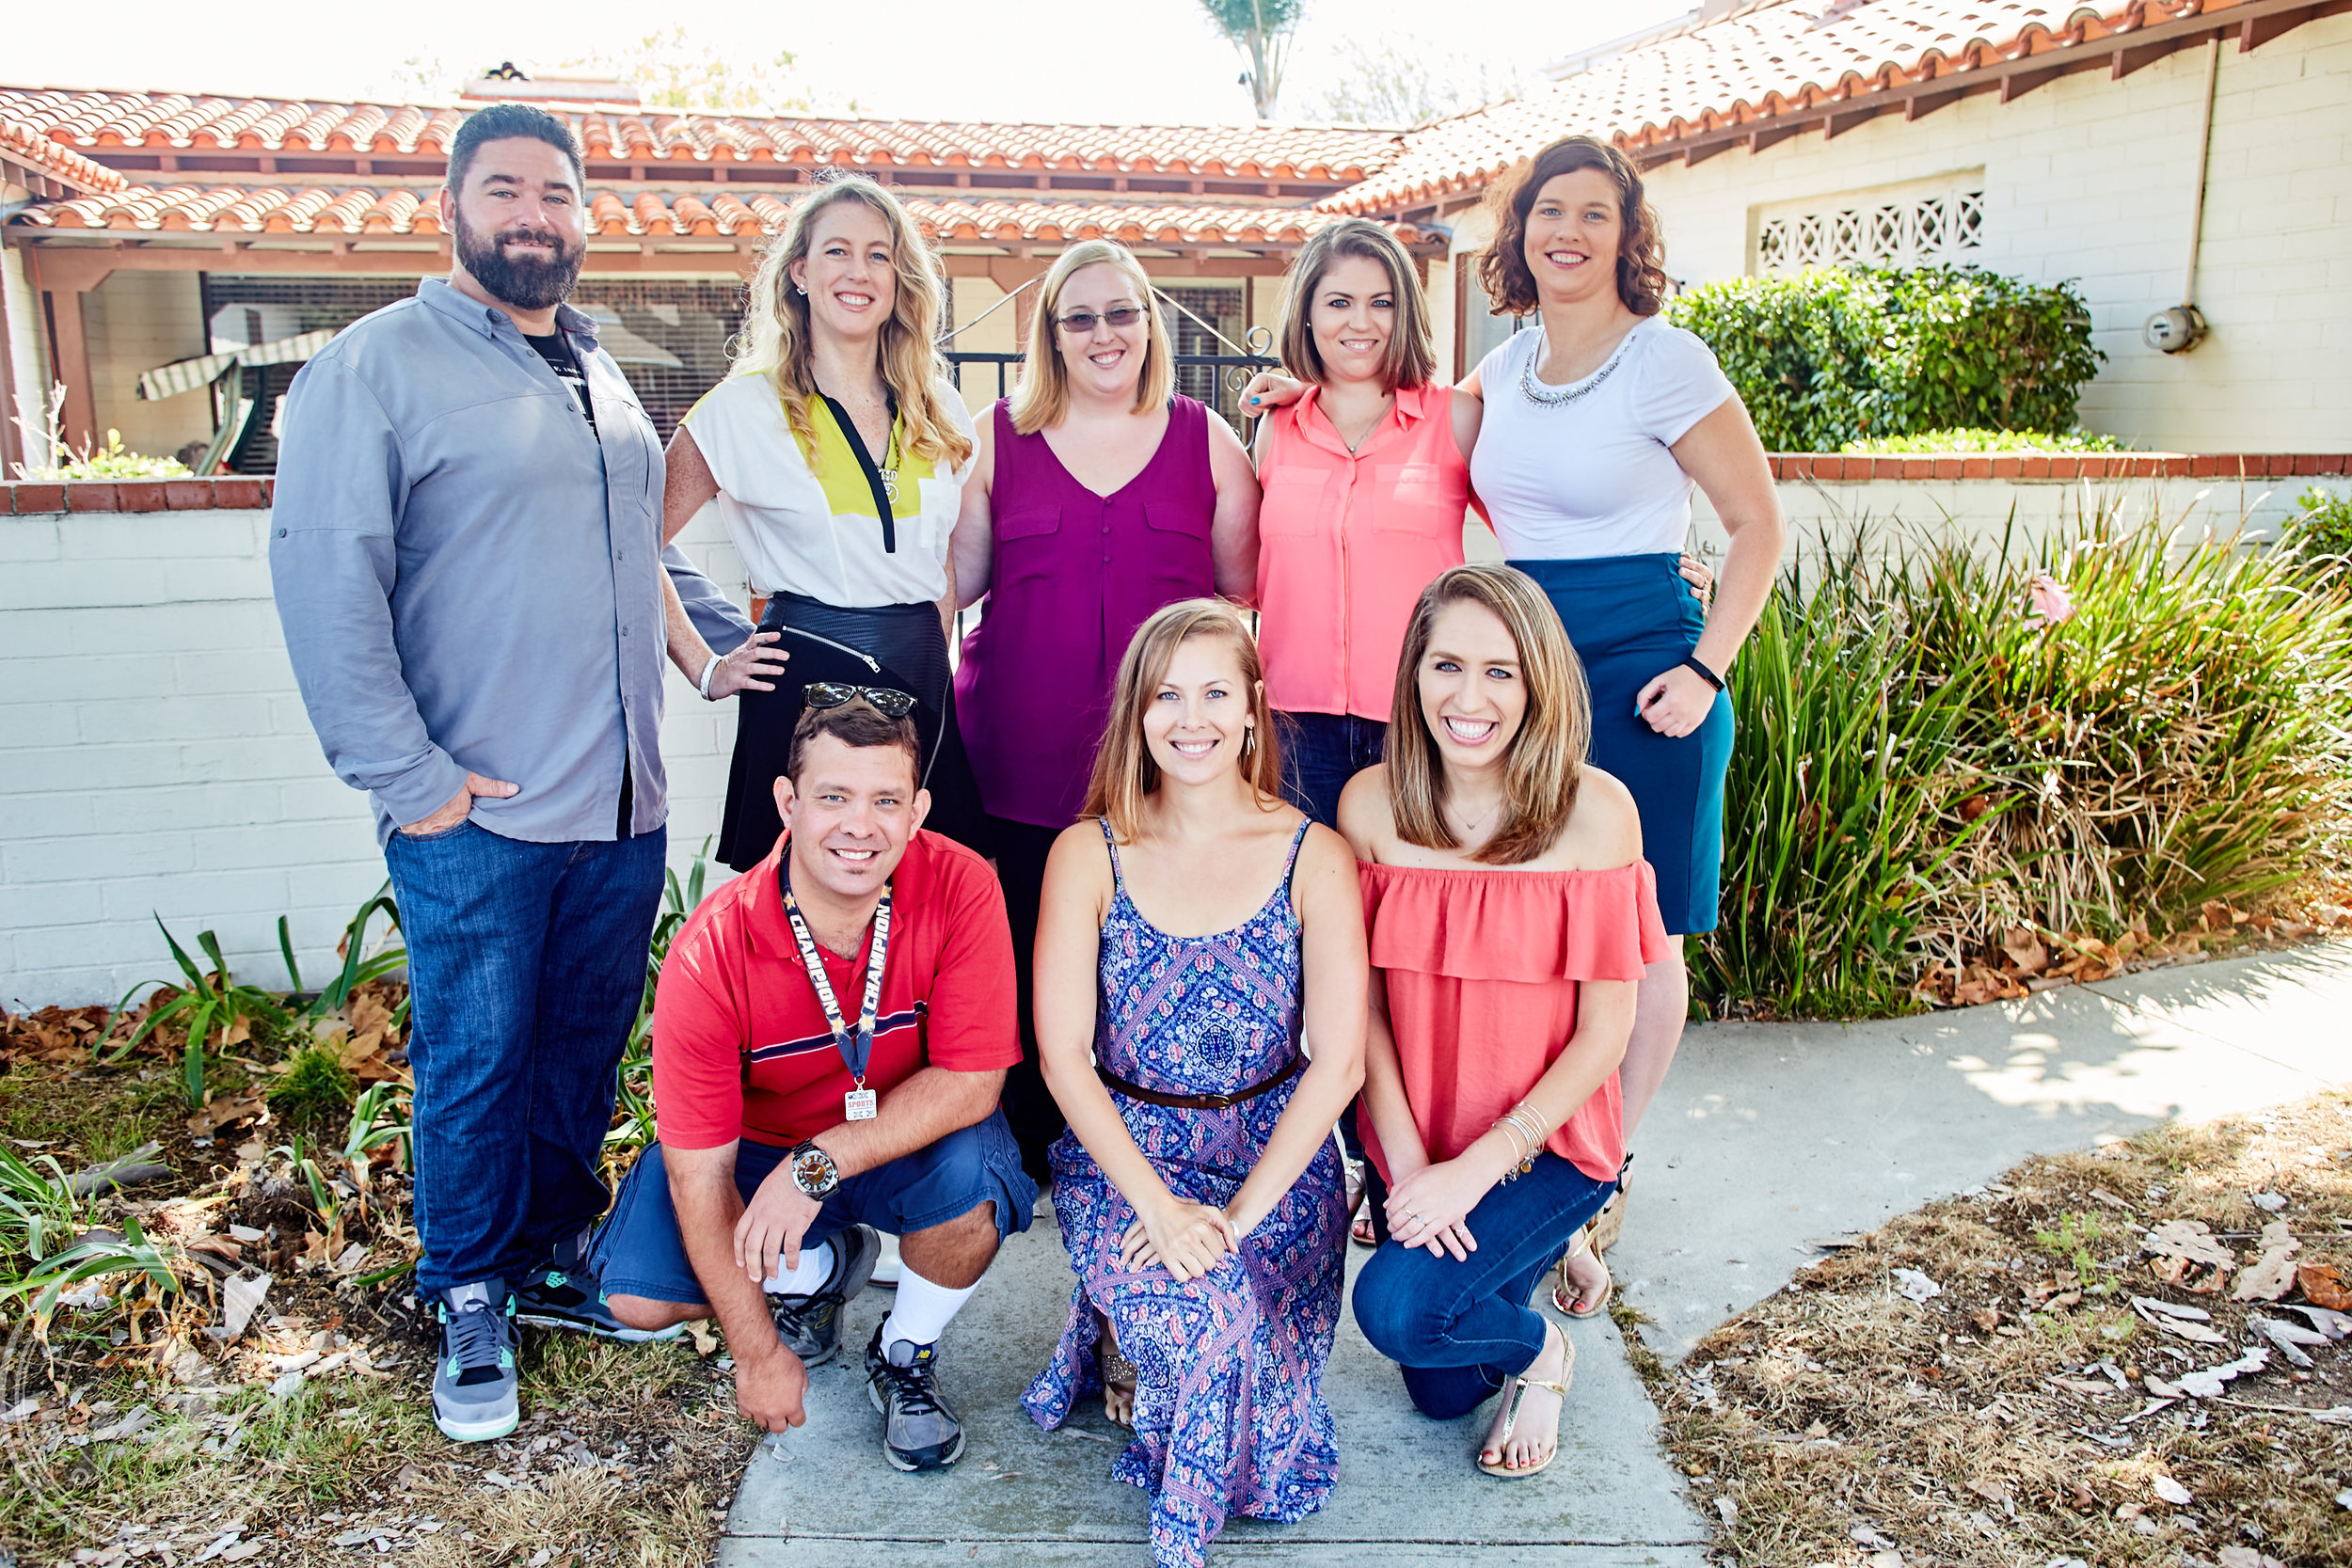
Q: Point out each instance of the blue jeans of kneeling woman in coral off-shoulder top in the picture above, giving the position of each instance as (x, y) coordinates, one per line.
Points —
(1462, 1329)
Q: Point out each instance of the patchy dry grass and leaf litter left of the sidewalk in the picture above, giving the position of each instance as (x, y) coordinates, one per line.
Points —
(138, 1428)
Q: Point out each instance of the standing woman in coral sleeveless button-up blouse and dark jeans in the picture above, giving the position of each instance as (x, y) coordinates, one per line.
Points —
(1365, 495)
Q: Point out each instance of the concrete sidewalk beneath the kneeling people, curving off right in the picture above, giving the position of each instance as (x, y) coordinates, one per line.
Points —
(1763, 1139)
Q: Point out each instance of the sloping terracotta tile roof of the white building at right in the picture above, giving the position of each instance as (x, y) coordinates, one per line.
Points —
(1758, 62)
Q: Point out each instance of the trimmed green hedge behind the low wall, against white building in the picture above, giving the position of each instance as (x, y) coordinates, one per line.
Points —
(1855, 354)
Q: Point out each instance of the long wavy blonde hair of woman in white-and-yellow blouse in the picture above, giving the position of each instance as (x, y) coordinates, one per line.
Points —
(777, 326)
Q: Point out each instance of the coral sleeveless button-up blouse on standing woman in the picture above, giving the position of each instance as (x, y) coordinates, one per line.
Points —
(1347, 544)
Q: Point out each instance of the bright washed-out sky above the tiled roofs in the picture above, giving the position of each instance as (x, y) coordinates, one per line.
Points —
(937, 60)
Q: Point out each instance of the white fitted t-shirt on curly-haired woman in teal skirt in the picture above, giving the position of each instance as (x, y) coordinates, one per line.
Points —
(1596, 476)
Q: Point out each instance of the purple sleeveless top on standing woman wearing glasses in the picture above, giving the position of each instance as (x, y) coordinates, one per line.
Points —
(1074, 577)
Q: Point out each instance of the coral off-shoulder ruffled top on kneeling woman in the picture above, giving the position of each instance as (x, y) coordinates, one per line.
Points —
(1483, 972)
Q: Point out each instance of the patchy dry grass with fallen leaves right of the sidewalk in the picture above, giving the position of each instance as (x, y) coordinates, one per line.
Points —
(2019, 1416)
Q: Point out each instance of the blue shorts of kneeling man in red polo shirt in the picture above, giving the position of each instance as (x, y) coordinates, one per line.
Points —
(641, 1252)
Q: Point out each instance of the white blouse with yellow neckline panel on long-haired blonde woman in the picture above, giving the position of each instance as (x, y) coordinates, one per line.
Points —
(794, 535)
